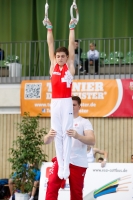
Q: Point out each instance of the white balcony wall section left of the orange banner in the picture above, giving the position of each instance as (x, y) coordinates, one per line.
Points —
(9, 98)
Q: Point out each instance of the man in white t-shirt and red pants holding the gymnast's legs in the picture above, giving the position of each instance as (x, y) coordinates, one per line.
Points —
(82, 135)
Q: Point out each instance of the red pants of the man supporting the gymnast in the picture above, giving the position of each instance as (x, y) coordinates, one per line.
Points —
(76, 180)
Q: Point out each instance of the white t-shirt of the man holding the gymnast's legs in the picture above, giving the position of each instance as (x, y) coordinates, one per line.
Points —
(79, 150)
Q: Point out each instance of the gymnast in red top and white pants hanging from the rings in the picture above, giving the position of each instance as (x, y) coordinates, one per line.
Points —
(62, 71)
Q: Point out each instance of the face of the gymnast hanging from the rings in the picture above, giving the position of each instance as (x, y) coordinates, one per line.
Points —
(61, 58)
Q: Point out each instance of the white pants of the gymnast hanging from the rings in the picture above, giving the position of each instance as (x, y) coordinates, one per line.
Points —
(61, 121)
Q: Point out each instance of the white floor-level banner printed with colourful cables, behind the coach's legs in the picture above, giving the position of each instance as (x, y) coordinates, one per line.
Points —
(114, 181)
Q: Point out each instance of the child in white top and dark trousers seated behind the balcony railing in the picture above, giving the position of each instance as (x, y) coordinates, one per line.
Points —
(93, 58)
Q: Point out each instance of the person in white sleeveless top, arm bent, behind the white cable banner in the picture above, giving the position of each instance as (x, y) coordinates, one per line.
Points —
(91, 155)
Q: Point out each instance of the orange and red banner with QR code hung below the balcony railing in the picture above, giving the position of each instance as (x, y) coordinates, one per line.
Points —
(100, 98)
